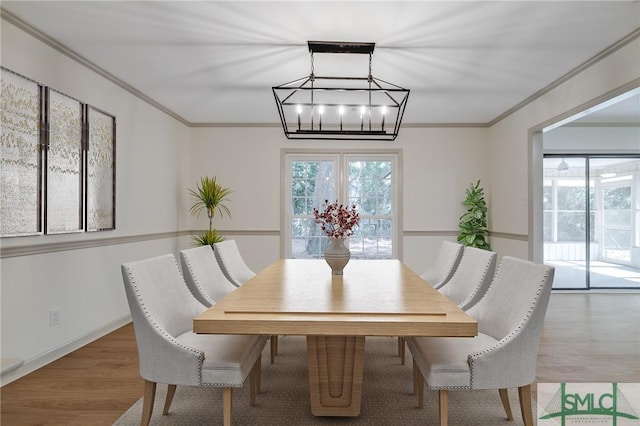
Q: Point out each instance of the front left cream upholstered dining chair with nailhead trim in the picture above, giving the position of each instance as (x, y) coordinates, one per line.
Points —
(162, 309)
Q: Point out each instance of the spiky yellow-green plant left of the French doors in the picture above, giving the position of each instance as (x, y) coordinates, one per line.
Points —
(211, 198)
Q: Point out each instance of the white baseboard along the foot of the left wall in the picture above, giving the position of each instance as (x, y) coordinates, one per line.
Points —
(39, 361)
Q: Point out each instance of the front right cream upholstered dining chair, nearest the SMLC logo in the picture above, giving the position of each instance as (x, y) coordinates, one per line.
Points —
(503, 355)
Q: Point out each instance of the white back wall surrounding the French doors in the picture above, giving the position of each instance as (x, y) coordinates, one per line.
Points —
(438, 166)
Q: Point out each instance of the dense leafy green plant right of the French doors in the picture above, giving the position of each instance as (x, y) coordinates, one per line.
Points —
(473, 222)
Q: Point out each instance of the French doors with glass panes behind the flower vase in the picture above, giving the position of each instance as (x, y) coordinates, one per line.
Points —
(367, 180)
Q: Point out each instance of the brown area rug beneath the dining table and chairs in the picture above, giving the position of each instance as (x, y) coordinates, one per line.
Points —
(387, 397)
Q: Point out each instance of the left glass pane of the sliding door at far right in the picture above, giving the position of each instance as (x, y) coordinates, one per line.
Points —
(565, 220)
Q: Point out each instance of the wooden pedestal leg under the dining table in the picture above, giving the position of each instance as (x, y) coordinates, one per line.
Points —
(336, 365)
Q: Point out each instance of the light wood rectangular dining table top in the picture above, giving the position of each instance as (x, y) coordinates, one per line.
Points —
(302, 297)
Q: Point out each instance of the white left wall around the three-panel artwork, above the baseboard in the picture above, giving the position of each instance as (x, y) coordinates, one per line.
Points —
(86, 284)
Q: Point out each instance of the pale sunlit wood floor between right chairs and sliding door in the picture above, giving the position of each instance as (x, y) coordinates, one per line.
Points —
(591, 338)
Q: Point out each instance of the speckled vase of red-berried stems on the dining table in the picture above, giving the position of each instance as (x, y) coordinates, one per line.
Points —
(337, 222)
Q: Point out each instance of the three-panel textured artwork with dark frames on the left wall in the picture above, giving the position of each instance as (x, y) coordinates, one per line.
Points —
(57, 162)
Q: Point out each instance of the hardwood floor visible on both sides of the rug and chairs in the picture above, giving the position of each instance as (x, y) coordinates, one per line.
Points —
(586, 338)
